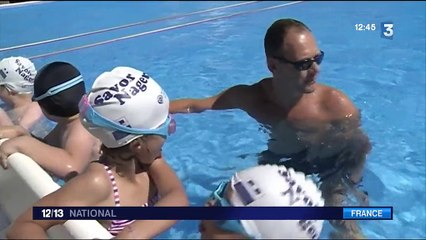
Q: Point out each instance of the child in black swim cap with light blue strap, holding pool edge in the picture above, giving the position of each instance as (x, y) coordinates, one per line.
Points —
(69, 147)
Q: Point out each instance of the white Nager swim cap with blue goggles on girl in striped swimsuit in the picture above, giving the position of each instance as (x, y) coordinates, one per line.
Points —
(130, 100)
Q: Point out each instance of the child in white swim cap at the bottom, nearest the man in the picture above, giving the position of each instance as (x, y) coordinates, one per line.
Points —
(265, 185)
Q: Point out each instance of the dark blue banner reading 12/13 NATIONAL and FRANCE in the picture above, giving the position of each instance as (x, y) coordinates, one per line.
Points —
(213, 213)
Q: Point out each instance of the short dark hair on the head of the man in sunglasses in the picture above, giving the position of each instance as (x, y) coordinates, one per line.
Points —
(276, 33)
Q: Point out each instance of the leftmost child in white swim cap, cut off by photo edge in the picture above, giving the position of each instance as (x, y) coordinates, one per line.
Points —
(16, 89)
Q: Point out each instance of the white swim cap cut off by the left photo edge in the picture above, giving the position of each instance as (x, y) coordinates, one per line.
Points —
(18, 74)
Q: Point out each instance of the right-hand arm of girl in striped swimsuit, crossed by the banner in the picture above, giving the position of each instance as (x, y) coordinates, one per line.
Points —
(171, 193)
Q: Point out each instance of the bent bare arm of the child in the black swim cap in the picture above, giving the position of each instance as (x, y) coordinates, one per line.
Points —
(74, 156)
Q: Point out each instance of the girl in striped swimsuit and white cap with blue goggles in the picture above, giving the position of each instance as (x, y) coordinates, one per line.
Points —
(131, 170)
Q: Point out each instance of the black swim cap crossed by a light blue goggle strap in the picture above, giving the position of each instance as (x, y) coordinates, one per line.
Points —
(64, 103)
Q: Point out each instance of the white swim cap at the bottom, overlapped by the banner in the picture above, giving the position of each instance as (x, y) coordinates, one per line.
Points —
(272, 185)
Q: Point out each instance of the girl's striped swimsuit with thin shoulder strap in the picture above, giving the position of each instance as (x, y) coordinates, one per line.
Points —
(118, 225)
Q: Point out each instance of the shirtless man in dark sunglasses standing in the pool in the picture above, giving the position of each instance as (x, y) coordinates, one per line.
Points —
(314, 128)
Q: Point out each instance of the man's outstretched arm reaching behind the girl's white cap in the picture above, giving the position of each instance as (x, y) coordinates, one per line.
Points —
(230, 98)
